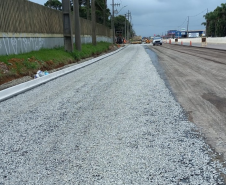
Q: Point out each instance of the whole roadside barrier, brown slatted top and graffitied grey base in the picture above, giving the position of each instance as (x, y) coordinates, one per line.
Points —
(27, 26)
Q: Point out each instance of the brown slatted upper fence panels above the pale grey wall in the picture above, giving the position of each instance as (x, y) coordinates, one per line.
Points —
(22, 16)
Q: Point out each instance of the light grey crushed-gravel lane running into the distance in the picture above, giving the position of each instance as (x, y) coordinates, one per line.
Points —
(113, 122)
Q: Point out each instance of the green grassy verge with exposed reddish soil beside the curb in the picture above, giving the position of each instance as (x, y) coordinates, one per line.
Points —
(27, 64)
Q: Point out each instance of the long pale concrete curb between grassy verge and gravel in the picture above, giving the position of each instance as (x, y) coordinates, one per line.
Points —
(18, 89)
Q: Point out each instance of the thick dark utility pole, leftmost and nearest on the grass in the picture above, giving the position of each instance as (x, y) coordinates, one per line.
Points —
(67, 30)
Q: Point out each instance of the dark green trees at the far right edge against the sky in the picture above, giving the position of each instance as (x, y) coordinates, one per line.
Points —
(216, 22)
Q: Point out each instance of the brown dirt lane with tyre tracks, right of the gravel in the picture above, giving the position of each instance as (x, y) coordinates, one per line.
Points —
(197, 78)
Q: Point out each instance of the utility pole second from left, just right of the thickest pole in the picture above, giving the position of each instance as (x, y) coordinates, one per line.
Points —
(77, 26)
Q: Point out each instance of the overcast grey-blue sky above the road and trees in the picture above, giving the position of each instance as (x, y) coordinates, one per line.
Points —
(151, 17)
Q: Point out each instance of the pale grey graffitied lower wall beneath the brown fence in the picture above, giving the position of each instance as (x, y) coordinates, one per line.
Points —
(22, 43)
